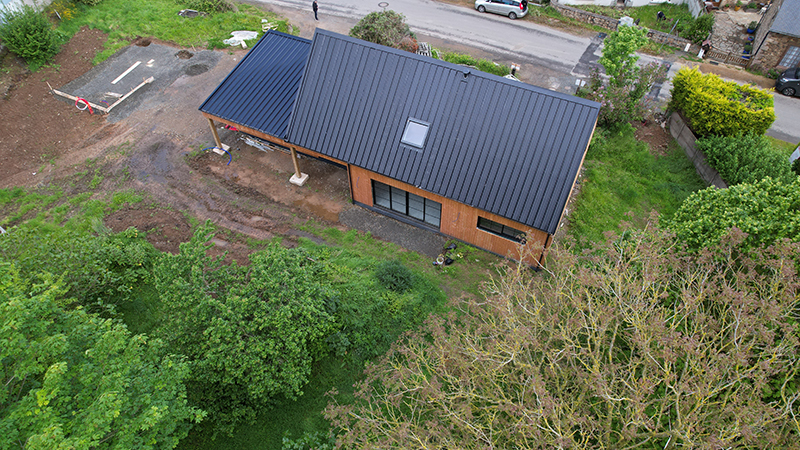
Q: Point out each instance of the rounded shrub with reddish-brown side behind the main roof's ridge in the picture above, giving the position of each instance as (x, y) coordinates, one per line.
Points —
(385, 28)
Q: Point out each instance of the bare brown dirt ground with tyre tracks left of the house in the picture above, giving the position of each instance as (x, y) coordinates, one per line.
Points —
(156, 150)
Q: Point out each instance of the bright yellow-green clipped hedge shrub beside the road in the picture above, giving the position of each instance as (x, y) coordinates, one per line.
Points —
(717, 107)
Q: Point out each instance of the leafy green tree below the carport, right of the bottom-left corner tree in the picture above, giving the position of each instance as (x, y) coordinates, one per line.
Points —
(251, 333)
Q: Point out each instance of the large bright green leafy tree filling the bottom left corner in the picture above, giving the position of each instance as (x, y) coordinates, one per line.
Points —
(72, 380)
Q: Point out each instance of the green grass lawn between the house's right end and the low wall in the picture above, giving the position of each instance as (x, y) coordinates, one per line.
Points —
(622, 176)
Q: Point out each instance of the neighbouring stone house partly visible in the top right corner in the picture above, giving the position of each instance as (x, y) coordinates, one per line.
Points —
(777, 39)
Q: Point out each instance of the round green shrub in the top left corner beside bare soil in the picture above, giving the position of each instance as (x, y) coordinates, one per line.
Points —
(29, 35)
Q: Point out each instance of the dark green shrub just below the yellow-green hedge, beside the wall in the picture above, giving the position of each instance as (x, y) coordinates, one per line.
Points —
(745, 158)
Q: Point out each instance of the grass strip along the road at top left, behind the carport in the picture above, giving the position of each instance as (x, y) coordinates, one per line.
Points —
(123, 20)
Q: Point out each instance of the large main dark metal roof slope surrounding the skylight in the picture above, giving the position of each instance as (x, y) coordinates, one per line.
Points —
(496, 144)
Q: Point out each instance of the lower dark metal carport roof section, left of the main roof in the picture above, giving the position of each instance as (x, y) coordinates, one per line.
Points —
(260, 91)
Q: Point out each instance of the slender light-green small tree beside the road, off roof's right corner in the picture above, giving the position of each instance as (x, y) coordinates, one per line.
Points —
(619, 54)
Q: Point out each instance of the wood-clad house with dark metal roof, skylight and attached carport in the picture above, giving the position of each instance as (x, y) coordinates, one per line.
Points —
(474, 156)
